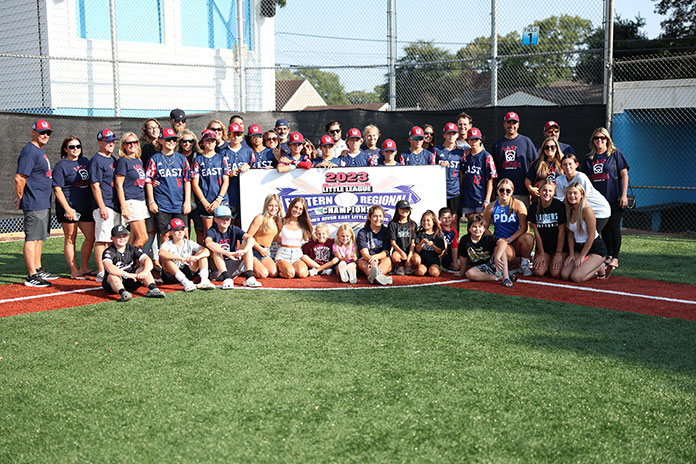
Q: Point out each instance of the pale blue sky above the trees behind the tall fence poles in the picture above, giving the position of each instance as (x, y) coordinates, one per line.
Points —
(355, 33)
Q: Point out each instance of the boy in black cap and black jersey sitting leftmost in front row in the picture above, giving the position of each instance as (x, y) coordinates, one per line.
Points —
(127, 267)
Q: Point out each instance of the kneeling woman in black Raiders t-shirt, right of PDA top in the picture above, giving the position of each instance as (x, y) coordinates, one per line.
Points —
(547, 217)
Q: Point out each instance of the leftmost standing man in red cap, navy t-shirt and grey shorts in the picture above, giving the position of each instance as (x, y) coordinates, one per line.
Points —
(33, 183)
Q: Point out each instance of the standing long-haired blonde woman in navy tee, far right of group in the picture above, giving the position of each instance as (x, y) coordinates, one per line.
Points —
(608, 172)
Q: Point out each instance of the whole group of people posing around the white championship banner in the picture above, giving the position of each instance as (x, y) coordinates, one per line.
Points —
(161, 182)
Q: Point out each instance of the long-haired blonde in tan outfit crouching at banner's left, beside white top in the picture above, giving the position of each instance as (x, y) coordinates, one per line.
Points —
(264, 229)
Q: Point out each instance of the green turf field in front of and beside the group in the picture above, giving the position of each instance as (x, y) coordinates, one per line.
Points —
(423, 374)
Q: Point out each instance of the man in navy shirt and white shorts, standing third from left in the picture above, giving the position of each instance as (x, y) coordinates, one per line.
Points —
(101, 174)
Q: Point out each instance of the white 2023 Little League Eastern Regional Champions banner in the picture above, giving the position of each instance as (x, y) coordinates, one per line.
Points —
(344, 195)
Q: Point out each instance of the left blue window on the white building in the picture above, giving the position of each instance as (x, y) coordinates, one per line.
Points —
(141, 23)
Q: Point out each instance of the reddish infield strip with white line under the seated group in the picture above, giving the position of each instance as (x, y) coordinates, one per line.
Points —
(619, 293)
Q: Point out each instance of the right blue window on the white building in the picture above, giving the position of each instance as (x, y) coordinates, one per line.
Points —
(213, 23)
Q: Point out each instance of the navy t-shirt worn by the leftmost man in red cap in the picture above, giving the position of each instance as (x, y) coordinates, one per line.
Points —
(33, 163)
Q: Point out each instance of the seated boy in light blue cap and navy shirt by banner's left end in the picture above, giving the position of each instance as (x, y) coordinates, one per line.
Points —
(221, 240)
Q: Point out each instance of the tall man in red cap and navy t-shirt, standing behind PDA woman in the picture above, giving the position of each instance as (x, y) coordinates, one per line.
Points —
(513, 153)
